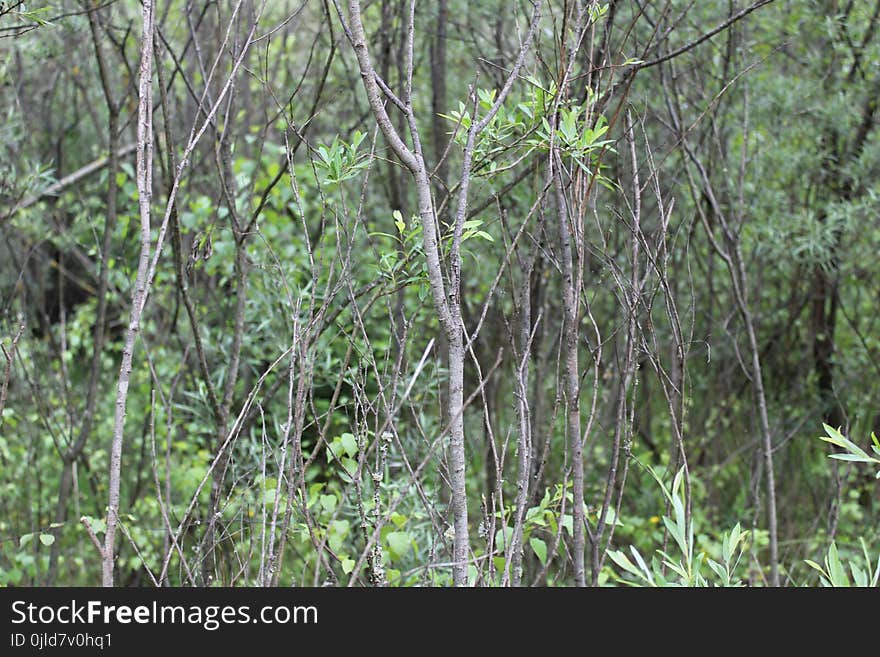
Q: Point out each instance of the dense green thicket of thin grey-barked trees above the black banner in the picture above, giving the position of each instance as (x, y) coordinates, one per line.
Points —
(390, 293)
